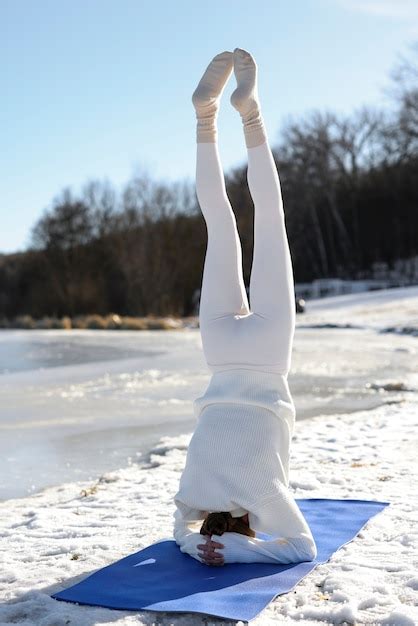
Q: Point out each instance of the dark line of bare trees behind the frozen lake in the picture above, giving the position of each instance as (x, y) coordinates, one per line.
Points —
(350, 190)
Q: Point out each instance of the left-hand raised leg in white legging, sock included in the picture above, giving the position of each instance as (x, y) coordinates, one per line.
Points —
(223, 292)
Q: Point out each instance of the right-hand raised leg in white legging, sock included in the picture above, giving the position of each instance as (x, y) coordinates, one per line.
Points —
(271, 283)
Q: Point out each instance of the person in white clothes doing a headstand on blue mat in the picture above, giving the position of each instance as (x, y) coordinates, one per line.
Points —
(235, 480)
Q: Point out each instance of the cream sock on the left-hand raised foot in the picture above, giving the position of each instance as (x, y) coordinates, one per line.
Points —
(207, 95)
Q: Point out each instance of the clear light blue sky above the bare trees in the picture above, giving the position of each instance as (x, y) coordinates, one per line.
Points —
(101, 89)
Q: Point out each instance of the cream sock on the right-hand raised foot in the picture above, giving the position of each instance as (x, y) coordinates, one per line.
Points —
(245, 98)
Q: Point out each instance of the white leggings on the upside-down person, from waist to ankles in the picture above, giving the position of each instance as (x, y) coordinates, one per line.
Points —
(232, 334)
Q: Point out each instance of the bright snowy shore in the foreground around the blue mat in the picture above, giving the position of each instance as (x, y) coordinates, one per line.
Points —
(56, 537)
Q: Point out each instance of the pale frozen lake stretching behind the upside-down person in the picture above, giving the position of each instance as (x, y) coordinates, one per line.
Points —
(74, 404)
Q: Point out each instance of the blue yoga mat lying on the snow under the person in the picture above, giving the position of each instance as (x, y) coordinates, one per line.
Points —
(162, 578)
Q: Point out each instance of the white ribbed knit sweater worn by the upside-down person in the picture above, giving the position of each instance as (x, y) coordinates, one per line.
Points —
(238, 461)
